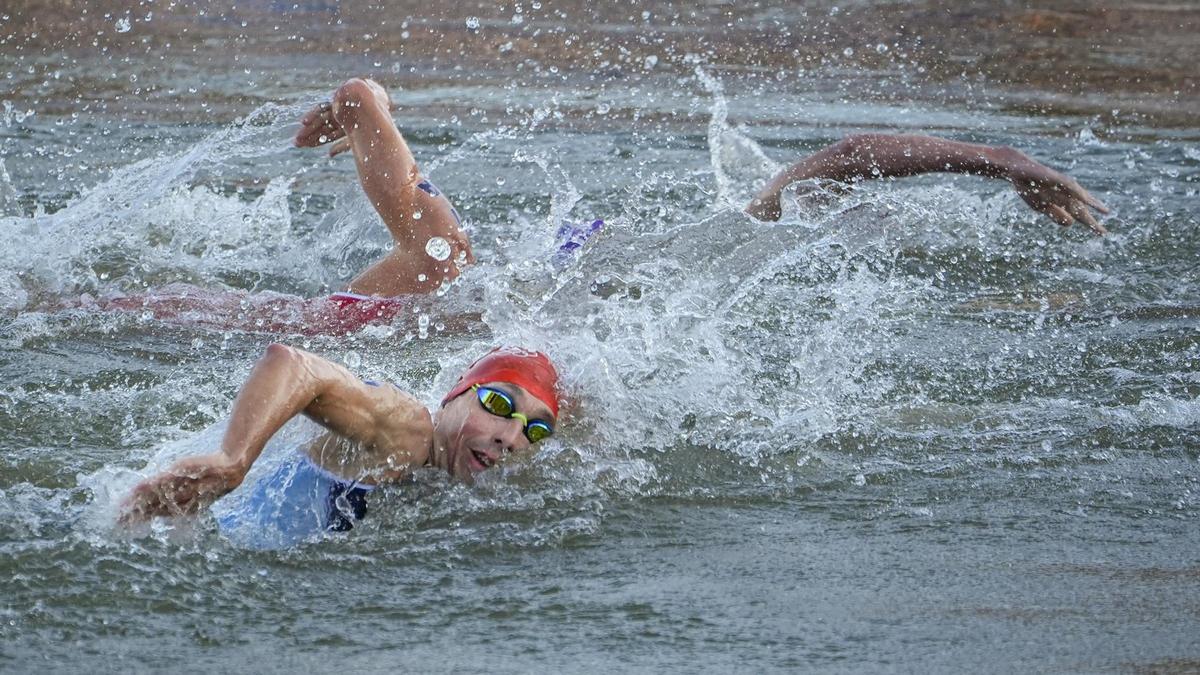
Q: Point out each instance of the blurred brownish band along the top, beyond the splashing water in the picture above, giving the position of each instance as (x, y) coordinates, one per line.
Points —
(1066, 57)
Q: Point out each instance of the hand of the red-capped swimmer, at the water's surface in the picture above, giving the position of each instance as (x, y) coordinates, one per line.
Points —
(188, 487)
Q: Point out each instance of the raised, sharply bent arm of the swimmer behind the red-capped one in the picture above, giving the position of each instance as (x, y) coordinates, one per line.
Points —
(359, 120)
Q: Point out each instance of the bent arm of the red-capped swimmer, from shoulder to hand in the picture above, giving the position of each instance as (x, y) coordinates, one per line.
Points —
(284, 384)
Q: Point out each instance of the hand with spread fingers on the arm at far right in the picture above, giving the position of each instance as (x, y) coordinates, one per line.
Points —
(1052, 193)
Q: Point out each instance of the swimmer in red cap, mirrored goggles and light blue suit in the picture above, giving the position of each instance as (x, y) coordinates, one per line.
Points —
(375, 434)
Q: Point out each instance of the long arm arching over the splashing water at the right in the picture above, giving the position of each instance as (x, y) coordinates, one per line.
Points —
(877, 156)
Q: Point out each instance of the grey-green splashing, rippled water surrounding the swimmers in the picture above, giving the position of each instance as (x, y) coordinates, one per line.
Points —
(917, 425)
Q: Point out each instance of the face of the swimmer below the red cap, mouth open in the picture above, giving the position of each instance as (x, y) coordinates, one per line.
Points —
(476, 440)
